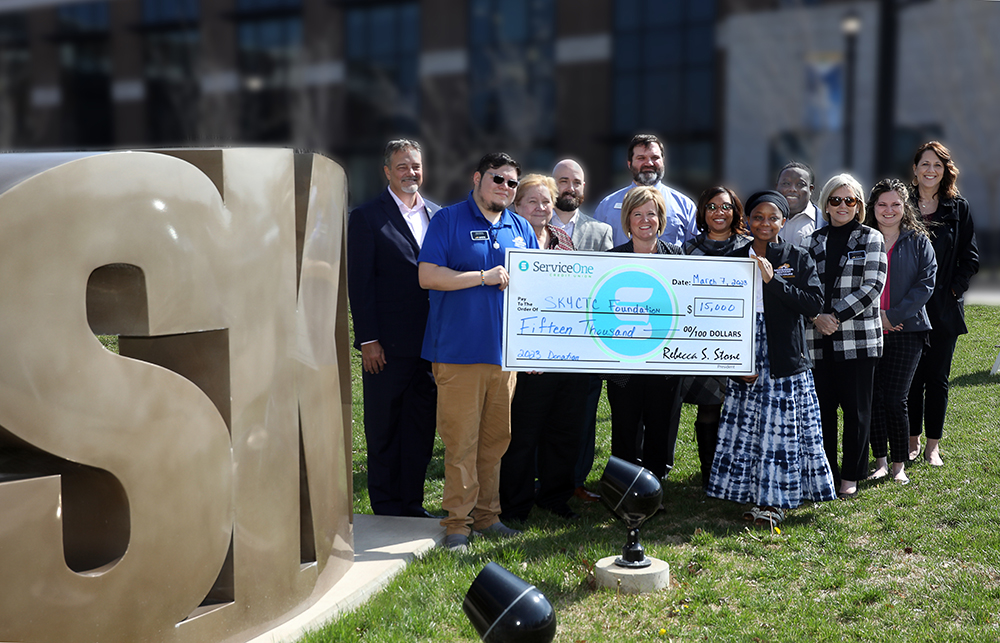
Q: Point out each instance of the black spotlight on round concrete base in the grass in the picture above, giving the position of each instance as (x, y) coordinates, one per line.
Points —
(633, 494)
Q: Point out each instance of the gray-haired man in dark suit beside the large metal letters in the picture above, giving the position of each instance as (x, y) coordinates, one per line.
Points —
(389, 309)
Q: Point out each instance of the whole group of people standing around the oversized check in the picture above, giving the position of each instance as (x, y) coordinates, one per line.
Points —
(859, 302)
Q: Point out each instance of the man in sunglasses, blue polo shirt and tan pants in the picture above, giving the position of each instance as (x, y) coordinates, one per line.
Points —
(461, 263)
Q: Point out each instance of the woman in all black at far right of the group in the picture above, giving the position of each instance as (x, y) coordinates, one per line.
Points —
(949, 222)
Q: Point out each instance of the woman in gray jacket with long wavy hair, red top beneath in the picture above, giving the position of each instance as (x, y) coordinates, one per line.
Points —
(909, 284)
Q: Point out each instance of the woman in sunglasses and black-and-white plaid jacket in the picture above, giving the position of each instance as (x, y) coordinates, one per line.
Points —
(845, 339)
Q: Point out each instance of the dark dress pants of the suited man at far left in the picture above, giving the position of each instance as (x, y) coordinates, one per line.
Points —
(400, 419)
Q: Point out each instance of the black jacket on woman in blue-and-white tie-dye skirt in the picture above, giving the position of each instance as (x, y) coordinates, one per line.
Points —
(793, 293)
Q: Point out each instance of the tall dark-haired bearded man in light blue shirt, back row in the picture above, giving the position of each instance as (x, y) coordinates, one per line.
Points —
(646, 155)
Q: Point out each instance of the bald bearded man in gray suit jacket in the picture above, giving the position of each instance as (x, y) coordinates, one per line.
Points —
(587, 234)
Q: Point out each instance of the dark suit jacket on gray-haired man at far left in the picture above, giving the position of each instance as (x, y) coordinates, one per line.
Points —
(387, 302)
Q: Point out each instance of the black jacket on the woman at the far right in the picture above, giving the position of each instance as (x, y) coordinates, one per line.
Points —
(954, 239)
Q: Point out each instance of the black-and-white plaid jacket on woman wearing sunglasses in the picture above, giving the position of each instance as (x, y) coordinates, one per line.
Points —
(856, 298)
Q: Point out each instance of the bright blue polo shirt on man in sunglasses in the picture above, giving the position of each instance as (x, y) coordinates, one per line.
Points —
(465, 326)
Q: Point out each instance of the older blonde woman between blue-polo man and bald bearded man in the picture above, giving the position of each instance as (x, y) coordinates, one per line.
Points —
(547, 409)
